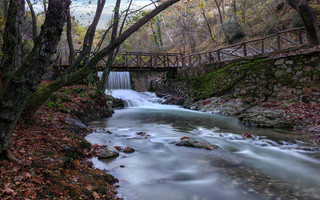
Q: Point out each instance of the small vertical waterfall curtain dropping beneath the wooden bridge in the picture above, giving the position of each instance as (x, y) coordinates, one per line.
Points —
(119, 80)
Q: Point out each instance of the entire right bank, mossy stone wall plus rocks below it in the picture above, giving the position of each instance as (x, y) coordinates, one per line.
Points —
(278, 91)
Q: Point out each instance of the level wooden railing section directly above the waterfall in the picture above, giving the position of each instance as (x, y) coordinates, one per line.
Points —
(146, 60)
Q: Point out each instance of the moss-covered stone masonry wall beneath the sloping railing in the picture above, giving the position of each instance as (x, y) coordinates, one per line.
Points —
(295, 77)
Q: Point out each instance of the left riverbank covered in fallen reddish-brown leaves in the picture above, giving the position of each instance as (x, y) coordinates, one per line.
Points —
(54, 156)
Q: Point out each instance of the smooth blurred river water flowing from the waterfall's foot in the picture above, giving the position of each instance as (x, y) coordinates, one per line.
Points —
(273, 164)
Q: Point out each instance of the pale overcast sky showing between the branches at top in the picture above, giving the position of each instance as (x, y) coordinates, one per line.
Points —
(84, 12)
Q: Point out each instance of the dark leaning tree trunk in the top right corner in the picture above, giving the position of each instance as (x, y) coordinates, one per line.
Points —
(309, 20)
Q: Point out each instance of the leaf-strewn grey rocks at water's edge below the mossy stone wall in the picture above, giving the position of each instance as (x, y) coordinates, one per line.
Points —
(297, 116)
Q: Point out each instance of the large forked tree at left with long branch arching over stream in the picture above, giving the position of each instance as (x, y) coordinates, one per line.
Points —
(21, 85)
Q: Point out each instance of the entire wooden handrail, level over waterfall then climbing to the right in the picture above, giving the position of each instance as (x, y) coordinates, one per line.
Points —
(247, 48)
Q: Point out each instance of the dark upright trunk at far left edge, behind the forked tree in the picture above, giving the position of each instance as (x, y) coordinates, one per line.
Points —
(12, 42)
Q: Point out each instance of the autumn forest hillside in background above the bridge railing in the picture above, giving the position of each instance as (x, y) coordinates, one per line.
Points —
(189, 26)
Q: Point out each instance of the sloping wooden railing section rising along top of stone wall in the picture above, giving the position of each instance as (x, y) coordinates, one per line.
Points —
(278, 41)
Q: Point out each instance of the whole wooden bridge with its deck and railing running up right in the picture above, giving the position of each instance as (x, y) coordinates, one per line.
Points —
(135, 61)
